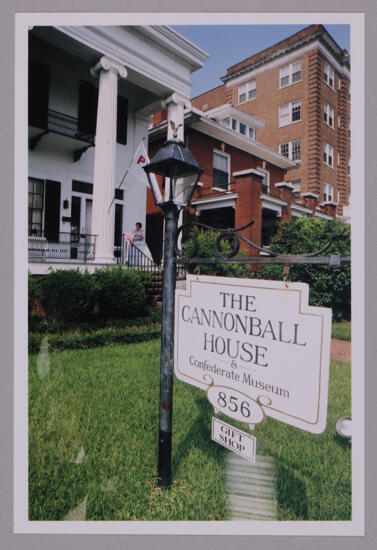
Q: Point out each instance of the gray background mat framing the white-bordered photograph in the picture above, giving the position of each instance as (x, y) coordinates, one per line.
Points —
(9, 541)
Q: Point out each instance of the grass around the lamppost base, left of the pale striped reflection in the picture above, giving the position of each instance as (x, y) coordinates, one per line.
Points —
(105, 401)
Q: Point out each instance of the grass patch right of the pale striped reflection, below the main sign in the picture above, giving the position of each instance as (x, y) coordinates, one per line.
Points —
(313, 471)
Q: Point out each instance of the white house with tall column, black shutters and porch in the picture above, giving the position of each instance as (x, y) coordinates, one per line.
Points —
(92, 92)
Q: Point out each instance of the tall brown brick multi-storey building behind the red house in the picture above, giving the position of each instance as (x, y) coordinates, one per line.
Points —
(300, 89)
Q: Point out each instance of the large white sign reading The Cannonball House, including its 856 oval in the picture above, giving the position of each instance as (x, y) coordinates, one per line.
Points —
(256, 347)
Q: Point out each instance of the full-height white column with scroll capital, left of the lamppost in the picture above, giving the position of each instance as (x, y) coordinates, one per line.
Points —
(105, 157)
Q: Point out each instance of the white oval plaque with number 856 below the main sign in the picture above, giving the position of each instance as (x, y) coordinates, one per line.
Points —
(235, 404)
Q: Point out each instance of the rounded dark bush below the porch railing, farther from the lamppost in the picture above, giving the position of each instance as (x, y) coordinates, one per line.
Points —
(67, 295)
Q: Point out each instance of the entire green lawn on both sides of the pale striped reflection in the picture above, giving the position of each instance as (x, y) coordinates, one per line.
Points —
(93, 426)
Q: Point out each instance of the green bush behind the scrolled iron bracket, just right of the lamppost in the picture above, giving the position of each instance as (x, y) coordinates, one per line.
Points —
(206, 240)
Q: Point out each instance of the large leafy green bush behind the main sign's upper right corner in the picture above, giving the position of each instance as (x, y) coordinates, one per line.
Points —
(329, 286)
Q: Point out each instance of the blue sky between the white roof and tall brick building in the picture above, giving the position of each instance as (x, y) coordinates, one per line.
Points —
(230, 44)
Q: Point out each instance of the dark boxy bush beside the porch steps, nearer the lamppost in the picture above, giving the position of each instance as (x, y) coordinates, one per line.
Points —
(122, 294)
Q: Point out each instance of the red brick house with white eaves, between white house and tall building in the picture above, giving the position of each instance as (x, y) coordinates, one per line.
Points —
(243, 180)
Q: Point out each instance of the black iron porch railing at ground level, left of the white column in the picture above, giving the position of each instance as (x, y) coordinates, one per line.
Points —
(62, 246)
